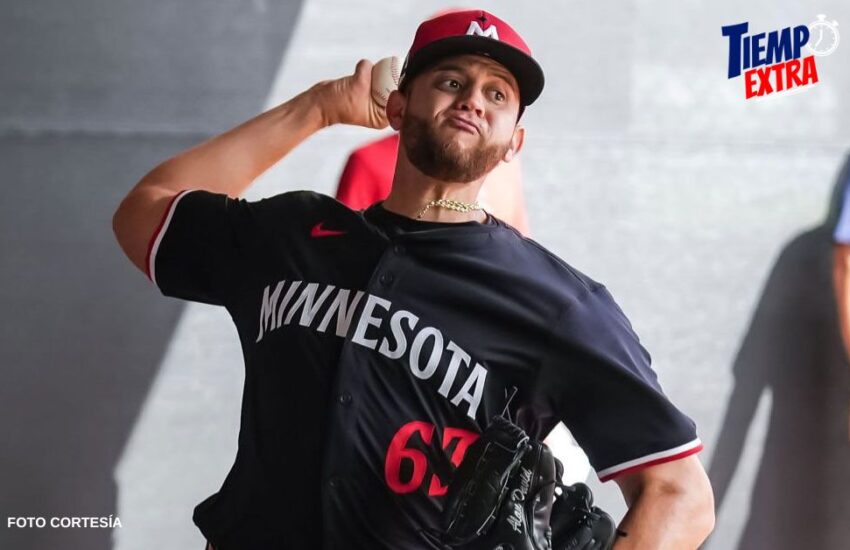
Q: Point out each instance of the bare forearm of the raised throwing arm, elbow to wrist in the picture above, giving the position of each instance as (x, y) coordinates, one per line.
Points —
(229, 162)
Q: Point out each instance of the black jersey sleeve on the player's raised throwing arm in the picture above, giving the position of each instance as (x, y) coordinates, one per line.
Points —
(195, 253)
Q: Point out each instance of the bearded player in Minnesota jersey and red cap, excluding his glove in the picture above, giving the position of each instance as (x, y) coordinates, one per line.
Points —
(376, 339)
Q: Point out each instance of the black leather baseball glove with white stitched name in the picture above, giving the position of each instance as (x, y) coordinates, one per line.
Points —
(503, 497)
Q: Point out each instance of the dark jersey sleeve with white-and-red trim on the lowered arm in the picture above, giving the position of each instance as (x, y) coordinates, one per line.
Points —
(598, 379)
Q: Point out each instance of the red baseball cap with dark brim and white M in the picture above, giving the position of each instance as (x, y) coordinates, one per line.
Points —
(475, 32)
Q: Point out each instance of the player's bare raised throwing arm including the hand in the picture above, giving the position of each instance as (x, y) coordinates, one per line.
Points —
(228, 163)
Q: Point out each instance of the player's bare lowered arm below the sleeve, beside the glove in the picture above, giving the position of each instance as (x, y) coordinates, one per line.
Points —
(670, 506)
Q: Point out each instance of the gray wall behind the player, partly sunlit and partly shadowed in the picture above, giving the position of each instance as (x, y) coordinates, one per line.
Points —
(705, 214)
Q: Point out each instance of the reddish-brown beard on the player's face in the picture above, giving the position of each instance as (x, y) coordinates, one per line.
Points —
(445, 159)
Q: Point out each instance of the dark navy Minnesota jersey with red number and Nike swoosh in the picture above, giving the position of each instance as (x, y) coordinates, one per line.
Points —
(373, 341)
